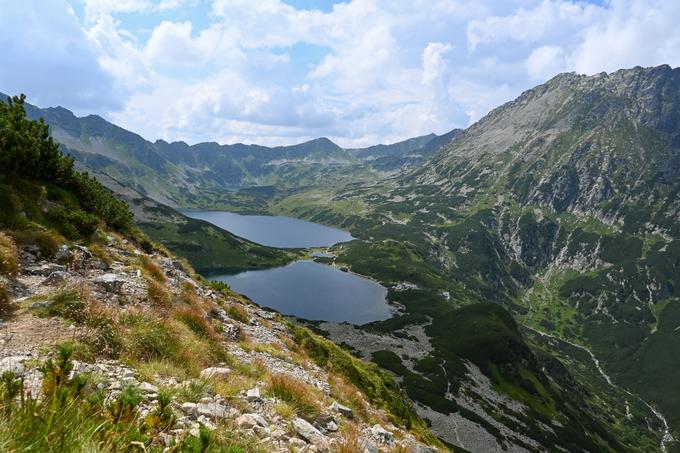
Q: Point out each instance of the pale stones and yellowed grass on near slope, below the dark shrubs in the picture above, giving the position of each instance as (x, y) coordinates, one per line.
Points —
(265, 392)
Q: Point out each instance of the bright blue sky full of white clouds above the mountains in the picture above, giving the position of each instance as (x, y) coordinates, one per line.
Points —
(277, 72)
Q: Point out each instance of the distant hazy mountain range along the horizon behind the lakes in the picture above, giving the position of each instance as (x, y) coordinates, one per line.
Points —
(184, 175)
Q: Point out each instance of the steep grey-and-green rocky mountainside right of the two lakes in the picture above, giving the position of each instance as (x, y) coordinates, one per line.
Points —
(562, 207)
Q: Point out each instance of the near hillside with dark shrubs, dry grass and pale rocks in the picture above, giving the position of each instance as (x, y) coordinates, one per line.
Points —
(112, 344)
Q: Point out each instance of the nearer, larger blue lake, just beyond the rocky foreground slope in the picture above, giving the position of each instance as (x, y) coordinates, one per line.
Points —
(313, 291)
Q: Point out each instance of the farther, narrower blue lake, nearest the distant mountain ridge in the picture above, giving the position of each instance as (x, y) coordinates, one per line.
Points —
(274, 231)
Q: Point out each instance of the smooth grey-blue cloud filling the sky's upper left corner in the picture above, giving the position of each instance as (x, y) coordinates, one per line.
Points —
(48, 56)
